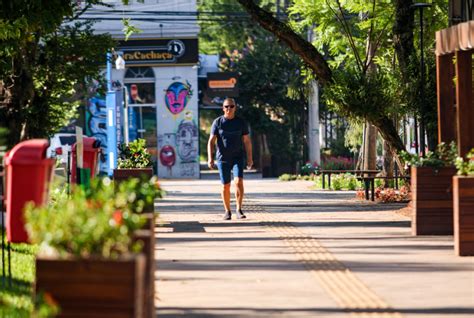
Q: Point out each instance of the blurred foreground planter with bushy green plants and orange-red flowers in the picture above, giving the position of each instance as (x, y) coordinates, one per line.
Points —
(88, 260)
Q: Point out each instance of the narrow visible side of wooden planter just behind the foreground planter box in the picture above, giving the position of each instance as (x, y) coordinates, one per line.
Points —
(147, 238)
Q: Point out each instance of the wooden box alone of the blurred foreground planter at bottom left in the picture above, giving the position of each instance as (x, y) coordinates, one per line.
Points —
(94, 287)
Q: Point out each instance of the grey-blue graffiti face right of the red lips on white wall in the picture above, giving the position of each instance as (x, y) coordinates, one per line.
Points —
(187, 141)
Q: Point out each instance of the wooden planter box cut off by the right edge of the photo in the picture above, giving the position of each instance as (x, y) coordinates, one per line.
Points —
(463, 200)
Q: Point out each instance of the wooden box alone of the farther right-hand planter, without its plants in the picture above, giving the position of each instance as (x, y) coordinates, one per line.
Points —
(432, 200)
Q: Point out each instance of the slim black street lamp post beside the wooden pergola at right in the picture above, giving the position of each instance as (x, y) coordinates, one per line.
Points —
(422, 6)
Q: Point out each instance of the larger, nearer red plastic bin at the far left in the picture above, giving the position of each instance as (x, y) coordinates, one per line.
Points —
(28, 174)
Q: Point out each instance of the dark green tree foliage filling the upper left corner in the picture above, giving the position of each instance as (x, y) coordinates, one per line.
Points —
(44, 57)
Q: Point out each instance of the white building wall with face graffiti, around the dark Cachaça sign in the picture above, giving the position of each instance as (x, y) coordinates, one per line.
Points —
(177, 129)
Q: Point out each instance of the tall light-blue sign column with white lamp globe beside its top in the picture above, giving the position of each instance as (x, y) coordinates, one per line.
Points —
(111, 109)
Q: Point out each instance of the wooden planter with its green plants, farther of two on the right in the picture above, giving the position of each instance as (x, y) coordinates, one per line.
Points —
(431, 186)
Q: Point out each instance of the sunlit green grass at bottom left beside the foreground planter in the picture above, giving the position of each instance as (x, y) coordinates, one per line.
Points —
(16, 300)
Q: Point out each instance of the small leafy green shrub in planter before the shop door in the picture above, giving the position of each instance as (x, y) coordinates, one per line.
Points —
(134, 161)
